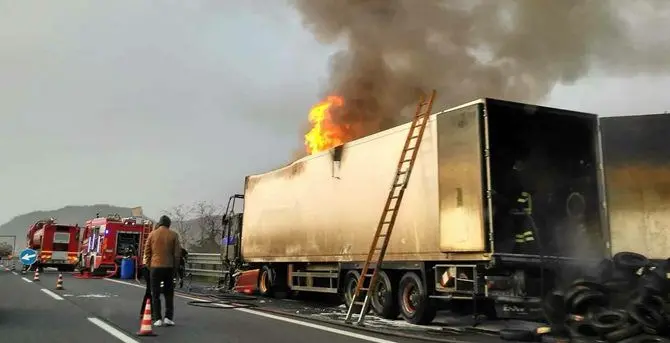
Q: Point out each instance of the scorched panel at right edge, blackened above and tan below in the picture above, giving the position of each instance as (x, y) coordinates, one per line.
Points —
(637, 176)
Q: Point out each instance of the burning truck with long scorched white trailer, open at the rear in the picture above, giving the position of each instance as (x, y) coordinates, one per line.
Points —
(503, 204)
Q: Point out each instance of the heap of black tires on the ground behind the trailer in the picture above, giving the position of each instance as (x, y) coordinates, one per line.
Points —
(626, 300)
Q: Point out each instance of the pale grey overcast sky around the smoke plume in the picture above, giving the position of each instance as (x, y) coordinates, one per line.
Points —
(136, 103)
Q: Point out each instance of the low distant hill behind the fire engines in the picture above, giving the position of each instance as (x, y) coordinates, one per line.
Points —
(66, 215)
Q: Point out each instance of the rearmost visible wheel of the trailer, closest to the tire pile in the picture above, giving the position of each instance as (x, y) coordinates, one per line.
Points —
(415, 305)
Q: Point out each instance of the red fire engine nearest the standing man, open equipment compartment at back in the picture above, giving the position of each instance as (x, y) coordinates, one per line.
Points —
(107, 240)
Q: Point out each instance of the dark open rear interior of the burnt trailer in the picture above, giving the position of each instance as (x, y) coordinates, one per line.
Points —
(553, 155)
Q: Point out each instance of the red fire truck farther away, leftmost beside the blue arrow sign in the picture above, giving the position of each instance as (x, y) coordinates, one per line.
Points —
(56, 244)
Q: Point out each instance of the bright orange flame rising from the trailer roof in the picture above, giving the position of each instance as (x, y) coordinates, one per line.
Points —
(324, 134)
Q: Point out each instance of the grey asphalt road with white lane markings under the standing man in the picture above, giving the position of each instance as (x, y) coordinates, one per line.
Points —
(107, 310)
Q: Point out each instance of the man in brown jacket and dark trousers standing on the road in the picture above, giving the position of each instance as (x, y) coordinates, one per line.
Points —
(162, 252)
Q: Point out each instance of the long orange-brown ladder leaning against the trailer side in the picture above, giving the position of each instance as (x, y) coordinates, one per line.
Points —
(387, 221)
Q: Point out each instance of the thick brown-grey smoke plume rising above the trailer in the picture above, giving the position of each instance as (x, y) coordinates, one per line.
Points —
(511, 49)
